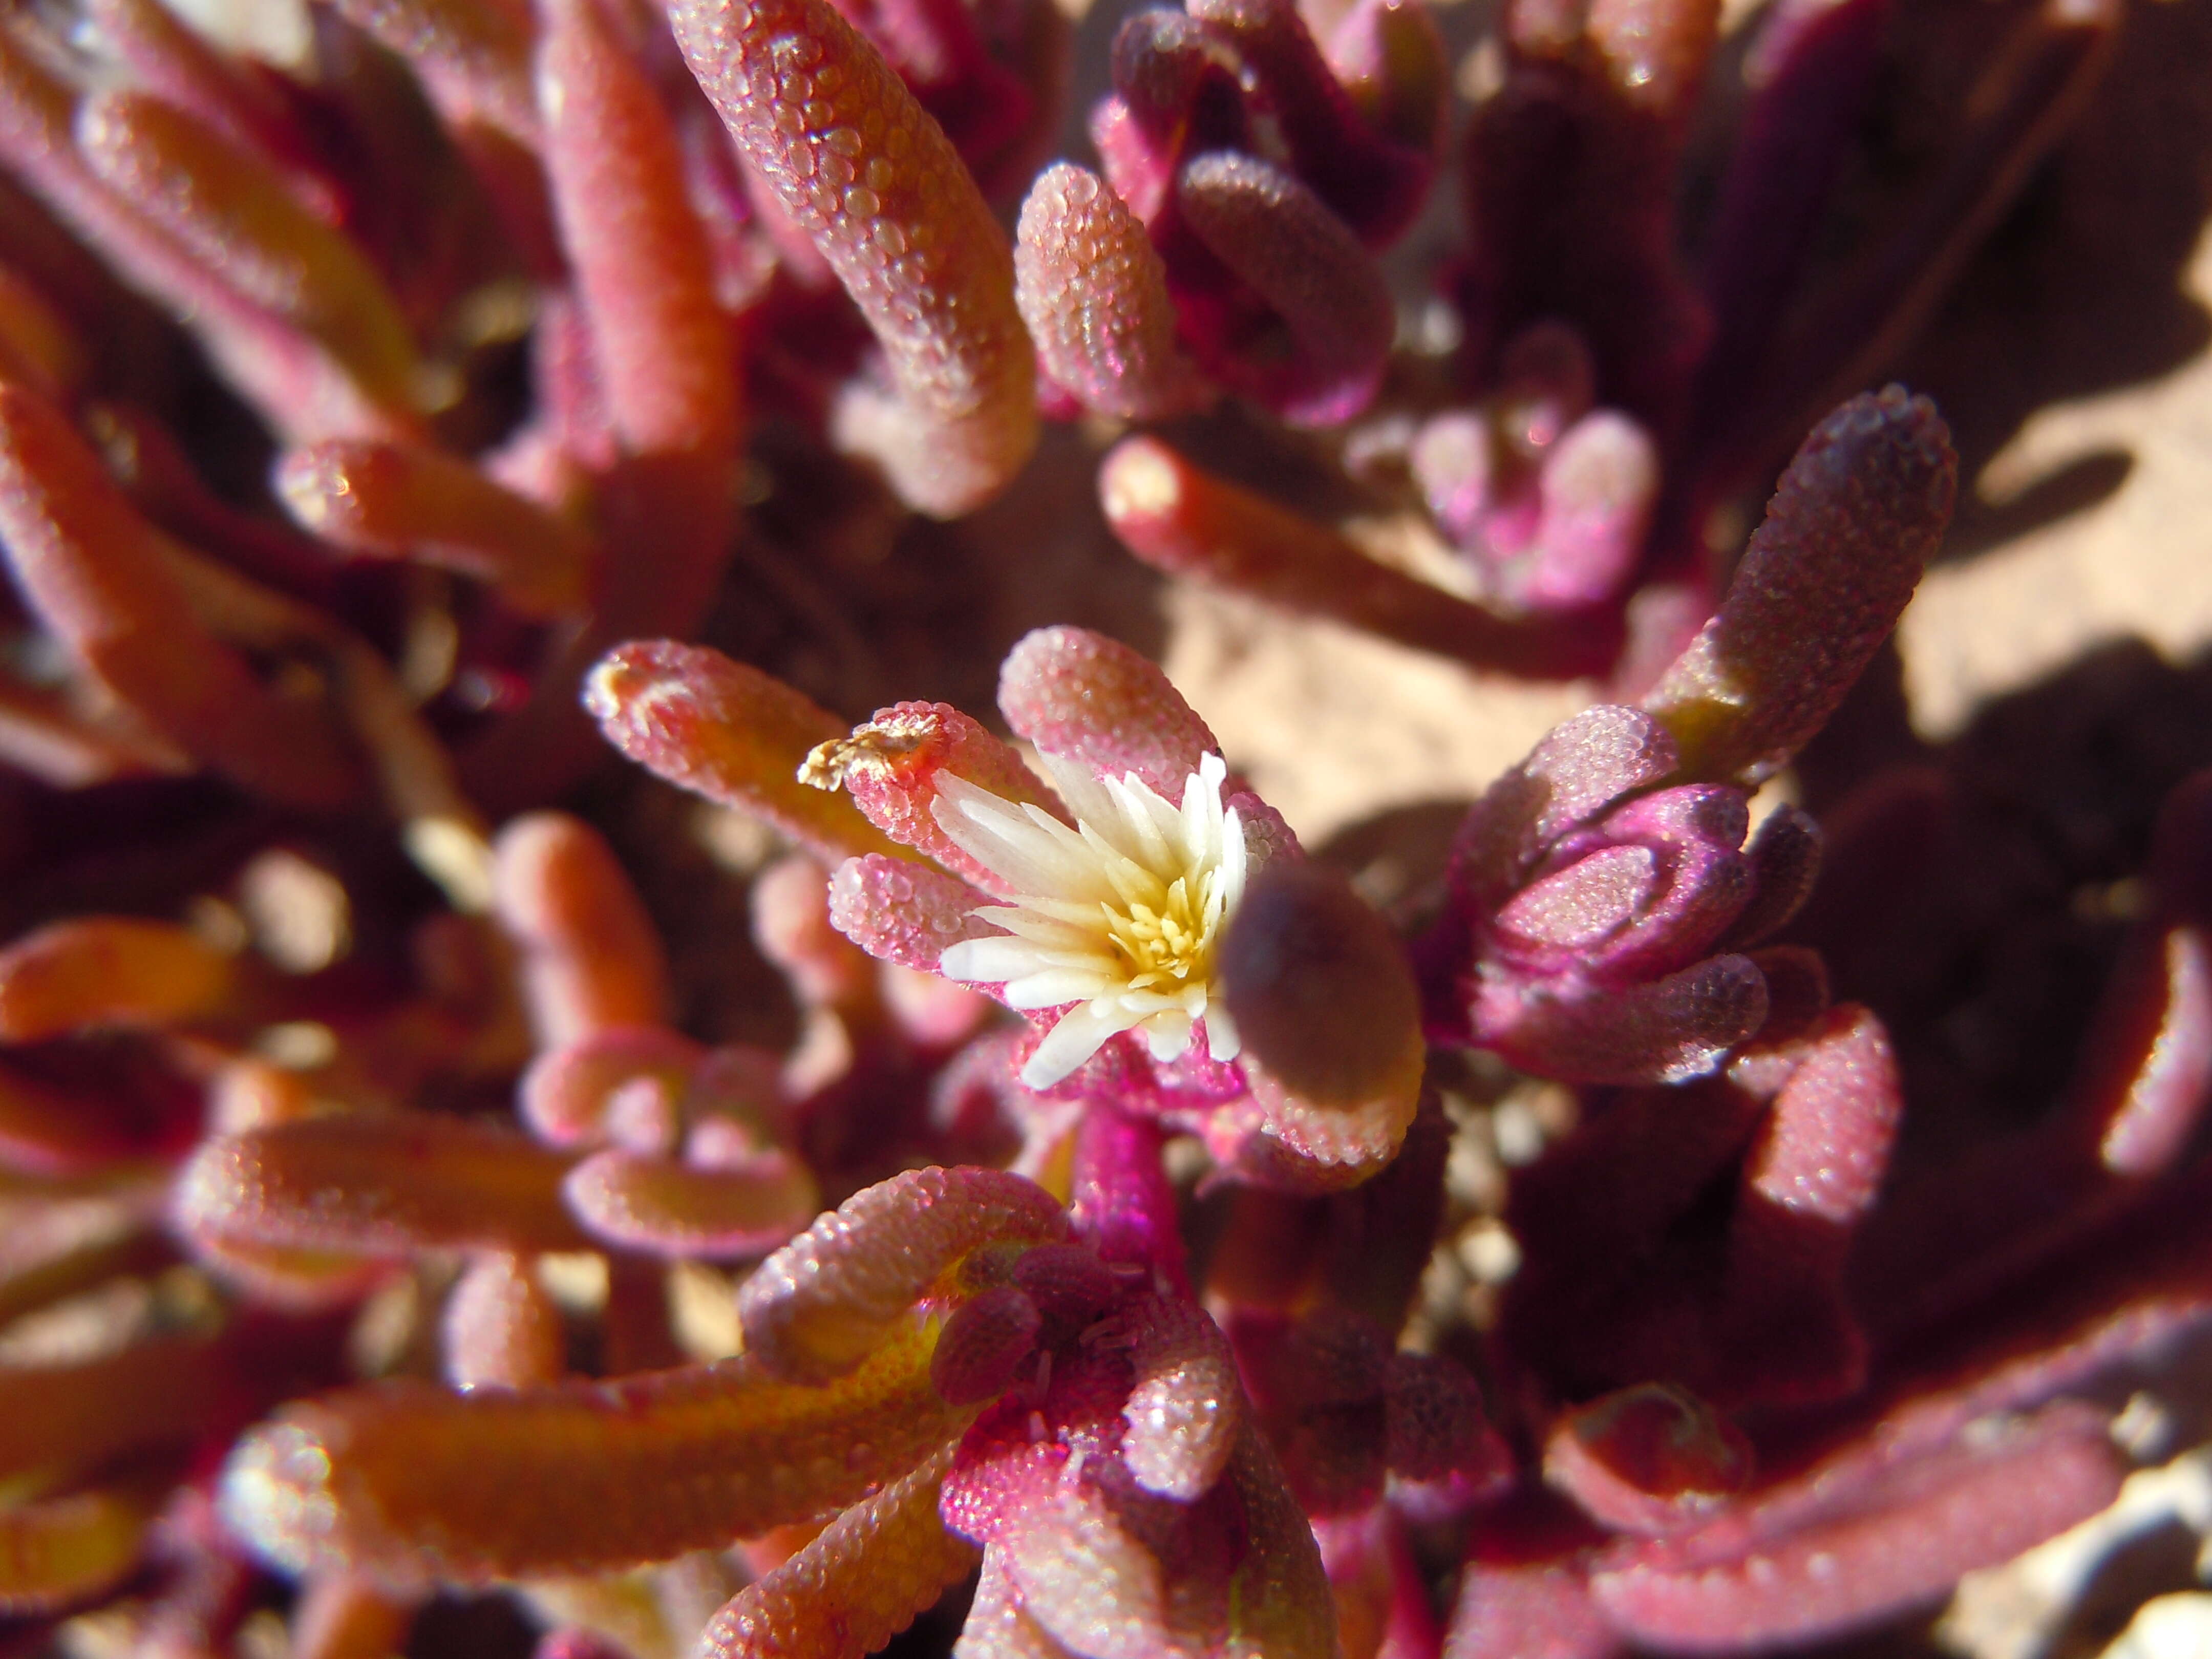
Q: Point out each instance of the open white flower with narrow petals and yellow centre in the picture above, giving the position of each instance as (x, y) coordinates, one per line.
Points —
(1118, 915)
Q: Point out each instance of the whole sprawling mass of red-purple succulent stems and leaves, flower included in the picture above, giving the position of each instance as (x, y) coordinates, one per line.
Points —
(382, 404)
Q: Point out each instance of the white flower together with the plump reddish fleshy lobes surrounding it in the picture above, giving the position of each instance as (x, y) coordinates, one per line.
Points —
(1154, 921)
